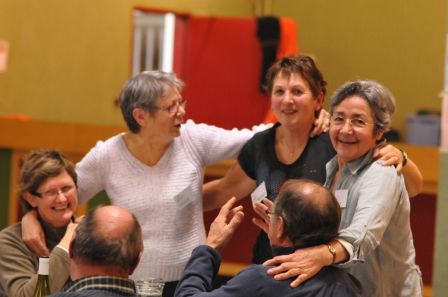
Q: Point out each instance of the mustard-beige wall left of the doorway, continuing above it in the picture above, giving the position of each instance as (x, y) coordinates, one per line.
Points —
(69, 59)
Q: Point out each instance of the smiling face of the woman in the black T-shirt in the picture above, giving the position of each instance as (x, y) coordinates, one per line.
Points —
(293, 102)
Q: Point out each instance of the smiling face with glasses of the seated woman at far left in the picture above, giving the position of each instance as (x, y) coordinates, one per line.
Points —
(55, 211)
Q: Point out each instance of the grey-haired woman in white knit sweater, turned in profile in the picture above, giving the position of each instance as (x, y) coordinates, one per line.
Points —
(155, 170)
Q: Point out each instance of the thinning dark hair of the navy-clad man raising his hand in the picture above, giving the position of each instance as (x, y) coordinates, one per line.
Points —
(311, 213)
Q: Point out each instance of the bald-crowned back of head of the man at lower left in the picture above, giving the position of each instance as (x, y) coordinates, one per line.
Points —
(108, 236)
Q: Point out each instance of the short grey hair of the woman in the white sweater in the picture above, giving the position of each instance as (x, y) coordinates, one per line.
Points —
(144, 91)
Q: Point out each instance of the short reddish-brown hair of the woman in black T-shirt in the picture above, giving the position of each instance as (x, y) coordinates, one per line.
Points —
(304, 66)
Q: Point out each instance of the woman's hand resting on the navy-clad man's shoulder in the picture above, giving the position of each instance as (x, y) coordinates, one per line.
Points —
(303, 263)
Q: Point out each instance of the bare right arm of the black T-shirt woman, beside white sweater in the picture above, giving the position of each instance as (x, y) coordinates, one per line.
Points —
(234, 184)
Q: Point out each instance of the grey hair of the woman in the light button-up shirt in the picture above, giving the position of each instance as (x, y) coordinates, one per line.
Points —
(379, 98)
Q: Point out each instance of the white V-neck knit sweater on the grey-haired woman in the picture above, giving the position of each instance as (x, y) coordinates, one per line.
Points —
(167, 197)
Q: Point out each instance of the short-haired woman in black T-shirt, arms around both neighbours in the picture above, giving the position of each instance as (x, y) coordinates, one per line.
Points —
(286, 151)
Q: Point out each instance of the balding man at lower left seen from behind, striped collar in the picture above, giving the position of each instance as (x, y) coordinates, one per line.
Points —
(104, 251)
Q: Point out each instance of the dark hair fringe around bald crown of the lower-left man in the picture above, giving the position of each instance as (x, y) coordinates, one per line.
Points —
(92, 245)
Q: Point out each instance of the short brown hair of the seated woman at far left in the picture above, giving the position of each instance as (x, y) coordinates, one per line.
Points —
(37, 167)
